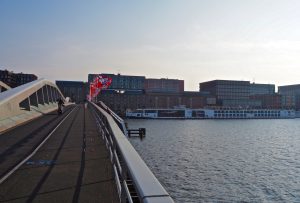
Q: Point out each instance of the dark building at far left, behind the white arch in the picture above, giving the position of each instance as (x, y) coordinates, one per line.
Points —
(16, 79)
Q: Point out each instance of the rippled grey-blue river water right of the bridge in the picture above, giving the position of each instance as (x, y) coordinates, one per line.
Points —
(223, 160)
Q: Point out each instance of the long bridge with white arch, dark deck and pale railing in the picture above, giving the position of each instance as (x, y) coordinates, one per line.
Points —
(82, 155)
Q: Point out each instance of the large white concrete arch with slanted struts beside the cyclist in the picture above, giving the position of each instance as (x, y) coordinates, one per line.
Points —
(20, 104)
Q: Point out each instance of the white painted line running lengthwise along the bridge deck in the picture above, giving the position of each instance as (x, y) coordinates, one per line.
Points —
(35, 151)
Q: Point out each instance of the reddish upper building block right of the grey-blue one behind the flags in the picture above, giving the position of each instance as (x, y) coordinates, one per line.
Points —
(164, 85)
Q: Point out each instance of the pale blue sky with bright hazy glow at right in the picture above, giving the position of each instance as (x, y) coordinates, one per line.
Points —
(192, 40)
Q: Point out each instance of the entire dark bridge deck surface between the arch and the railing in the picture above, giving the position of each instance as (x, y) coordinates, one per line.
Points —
(72, 166)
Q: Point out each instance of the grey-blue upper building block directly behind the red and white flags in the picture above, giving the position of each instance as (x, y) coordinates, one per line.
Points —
(122, 82)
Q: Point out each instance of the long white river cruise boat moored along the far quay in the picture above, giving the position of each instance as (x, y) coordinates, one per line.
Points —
(211, 113)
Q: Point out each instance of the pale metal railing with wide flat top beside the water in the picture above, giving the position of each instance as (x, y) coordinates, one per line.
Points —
(135, 181)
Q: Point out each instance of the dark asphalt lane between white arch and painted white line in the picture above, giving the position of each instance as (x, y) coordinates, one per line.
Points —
(17, 143)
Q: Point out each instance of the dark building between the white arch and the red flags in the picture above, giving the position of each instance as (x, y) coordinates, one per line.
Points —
(75, 90)
